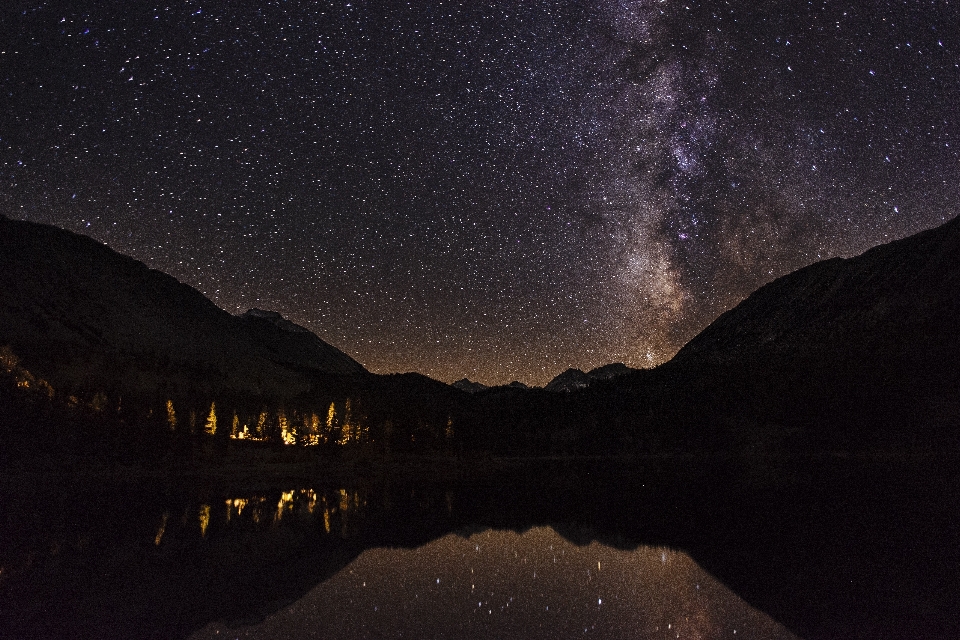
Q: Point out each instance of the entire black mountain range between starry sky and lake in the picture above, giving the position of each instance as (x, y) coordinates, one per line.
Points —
(846, 354)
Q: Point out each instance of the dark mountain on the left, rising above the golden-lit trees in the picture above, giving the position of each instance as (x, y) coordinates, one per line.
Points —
(81, 315)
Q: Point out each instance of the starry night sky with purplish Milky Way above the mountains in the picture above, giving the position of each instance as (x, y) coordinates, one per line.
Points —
(495, 190)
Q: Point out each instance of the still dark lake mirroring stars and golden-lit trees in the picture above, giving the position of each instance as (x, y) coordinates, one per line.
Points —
(748, 549)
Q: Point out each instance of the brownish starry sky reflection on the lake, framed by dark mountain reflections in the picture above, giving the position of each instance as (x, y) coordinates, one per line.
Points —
(502, 584)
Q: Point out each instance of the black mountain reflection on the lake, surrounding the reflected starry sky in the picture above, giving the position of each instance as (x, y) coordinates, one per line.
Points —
(829, 550)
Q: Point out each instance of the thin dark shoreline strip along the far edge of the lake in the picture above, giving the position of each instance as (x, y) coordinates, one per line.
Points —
(423, 468)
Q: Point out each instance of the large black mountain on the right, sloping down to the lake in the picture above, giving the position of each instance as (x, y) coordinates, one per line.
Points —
(845, 354)
